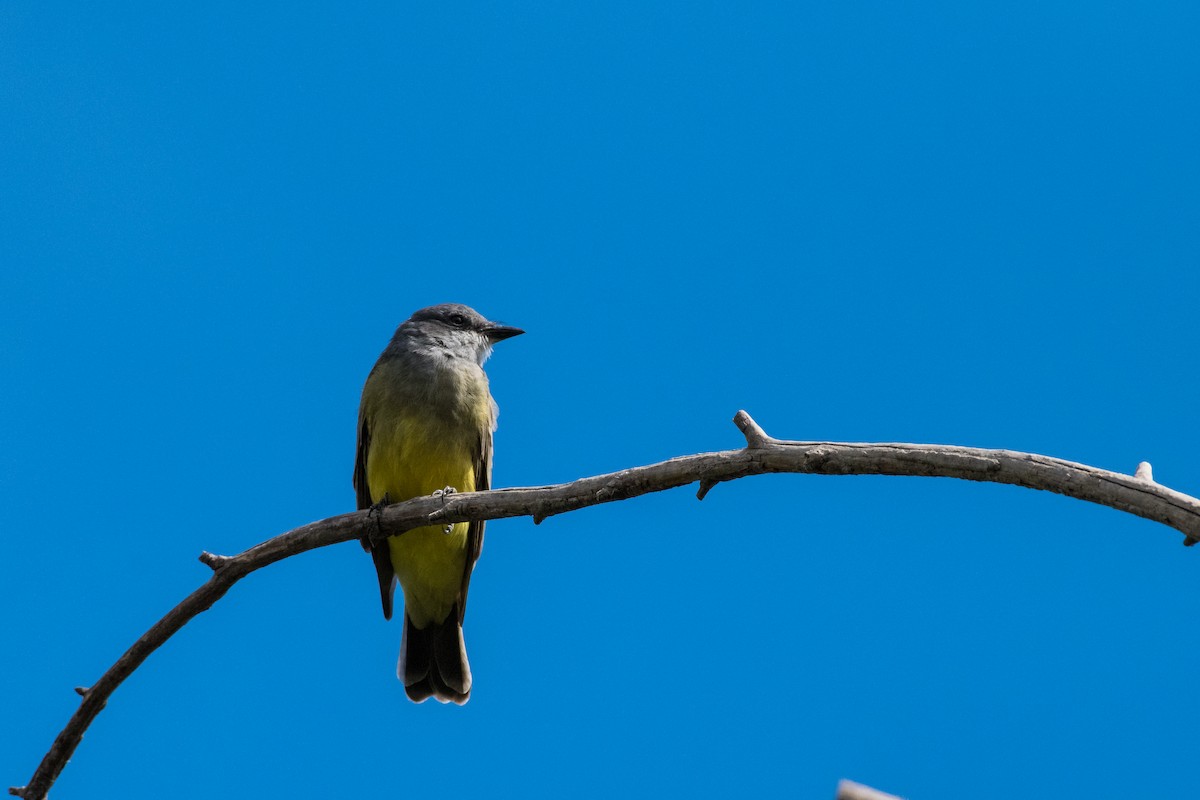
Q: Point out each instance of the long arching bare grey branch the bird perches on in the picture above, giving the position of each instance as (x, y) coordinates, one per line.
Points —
(1137, 495)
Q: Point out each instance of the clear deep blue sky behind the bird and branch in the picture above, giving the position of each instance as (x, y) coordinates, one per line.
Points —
(971, 224)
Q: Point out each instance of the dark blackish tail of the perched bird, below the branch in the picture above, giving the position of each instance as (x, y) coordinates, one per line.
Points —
(434, 661)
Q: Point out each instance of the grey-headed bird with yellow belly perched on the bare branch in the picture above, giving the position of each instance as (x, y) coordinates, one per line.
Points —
(425, 426)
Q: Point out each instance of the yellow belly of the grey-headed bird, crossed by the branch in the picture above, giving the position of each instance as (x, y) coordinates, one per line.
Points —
(409, 459)
